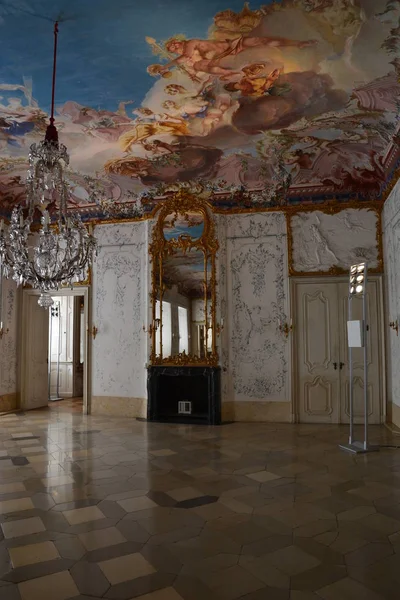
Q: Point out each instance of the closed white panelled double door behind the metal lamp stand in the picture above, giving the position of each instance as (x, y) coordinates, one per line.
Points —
(321, 352)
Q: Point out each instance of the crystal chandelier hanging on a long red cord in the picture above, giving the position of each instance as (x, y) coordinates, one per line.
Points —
(60, 249)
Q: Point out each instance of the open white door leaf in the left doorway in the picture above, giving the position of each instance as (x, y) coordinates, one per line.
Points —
(34, 389)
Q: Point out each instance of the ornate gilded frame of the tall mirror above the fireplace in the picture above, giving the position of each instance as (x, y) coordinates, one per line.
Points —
(183, 203)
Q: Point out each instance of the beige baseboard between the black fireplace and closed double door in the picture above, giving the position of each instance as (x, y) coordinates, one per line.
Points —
(257, 412)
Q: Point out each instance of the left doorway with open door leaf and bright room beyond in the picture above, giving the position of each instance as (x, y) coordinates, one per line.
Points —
(54, 352)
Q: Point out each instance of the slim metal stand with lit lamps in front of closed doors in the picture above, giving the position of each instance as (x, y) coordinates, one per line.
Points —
(358, 288)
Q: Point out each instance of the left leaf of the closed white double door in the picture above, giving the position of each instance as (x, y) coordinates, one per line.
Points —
(317, 349)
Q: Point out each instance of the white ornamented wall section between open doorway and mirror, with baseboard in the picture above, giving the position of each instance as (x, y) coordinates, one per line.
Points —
(120, 309)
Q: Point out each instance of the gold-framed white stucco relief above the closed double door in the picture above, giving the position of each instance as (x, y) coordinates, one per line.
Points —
(323, 241)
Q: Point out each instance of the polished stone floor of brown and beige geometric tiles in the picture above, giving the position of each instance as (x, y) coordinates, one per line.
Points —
(100, 507)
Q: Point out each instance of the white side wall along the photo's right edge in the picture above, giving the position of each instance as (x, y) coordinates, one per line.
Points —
(391, 244)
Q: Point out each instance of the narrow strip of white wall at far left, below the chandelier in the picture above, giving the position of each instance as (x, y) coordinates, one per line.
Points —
(9, 346)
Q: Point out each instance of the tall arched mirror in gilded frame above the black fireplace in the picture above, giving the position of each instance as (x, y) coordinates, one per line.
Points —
(183, 253)
